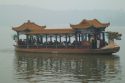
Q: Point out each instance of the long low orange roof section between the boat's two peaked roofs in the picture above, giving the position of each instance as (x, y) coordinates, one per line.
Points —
(52, 31)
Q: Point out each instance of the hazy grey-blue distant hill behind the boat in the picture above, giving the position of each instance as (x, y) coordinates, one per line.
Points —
(13, 15)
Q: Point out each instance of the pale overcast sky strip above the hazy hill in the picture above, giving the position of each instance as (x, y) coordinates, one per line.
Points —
(69, 4)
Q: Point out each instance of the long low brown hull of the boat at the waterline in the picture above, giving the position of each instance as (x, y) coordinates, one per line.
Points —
(70, 50)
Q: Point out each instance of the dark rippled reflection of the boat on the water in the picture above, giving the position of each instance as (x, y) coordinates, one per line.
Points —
(66, 68)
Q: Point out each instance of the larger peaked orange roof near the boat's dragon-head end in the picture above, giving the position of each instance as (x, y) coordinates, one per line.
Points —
(89, 23)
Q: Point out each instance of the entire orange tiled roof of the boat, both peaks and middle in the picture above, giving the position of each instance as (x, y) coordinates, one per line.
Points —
(32, 28)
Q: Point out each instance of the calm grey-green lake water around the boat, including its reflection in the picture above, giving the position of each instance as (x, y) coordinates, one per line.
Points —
(17, 67)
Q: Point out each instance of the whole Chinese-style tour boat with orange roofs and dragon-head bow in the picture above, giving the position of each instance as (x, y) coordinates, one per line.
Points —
(87, 37)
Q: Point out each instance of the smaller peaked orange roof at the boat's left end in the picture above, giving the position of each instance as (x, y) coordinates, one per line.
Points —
(30, 26)
